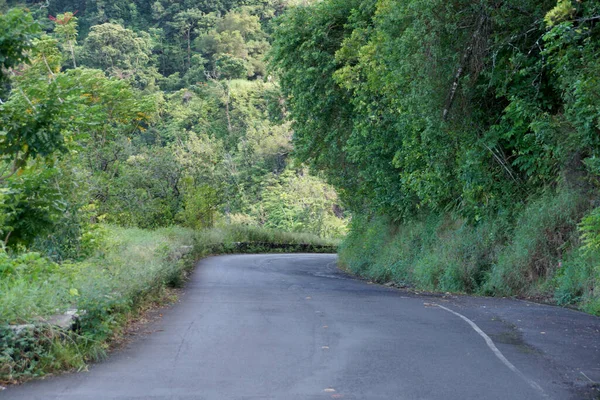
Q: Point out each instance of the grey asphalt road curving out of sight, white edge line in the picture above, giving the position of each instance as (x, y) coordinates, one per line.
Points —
(295, 327)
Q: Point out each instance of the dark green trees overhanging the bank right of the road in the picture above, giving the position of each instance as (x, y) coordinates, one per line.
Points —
(439, 106)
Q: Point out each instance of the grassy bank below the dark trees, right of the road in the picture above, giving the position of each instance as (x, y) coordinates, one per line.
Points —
(535, 252)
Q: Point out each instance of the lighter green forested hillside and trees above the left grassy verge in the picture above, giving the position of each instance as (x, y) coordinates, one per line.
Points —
(148, 117)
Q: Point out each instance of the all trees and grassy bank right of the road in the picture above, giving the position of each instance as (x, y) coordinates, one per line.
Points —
(464, 137)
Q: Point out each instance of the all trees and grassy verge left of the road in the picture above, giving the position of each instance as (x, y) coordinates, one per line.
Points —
(135, 138)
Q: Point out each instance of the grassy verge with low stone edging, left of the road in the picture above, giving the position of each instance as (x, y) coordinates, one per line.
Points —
(132, 269)
